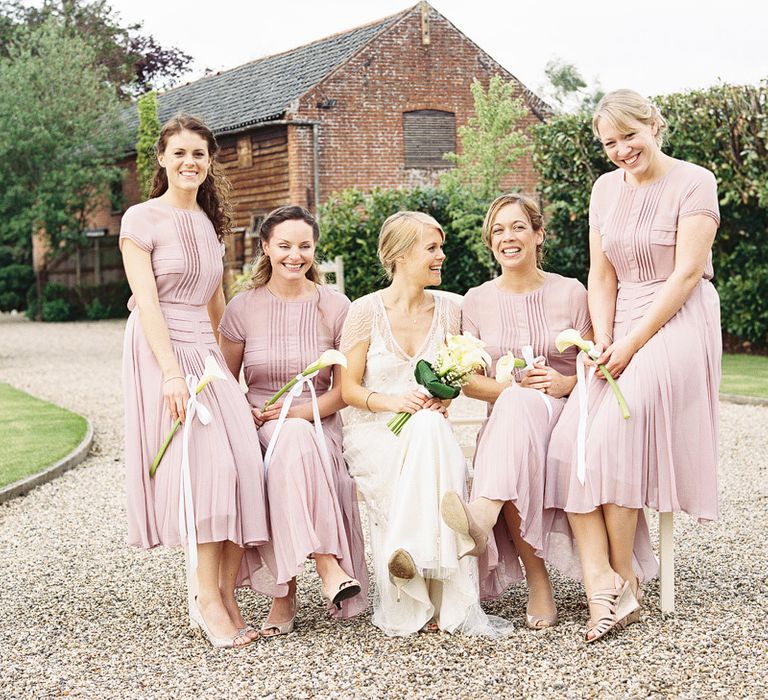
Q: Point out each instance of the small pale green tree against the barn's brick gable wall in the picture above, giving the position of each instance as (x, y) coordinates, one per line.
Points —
(491, 141)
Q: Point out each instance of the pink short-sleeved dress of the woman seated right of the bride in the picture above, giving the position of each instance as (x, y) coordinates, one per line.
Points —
(510, 460)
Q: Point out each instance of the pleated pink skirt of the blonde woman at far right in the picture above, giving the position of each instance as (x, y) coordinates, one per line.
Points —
(665, 455)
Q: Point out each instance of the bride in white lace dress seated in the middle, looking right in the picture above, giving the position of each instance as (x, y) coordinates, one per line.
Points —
(420, 581)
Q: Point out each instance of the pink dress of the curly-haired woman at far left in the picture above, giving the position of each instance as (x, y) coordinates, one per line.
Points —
(227, 474)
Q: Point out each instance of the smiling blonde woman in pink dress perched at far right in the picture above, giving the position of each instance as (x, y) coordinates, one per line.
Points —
(656, 318)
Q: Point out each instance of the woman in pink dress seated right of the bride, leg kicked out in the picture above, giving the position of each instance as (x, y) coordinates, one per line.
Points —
(525, 306)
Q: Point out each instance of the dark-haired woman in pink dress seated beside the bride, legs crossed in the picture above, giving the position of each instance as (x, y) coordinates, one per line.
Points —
(273, 331)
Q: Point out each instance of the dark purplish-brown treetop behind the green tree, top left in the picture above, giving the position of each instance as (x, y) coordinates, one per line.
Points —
(134, 61)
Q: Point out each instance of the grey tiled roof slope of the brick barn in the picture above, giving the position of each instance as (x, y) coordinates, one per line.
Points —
(265, 88)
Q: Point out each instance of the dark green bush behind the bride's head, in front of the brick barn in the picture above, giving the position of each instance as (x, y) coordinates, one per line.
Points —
(351, 220)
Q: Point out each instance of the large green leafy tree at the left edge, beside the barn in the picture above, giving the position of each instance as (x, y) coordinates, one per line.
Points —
(61, 126)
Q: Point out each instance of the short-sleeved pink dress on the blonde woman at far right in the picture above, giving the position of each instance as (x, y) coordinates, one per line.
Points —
(665, 455)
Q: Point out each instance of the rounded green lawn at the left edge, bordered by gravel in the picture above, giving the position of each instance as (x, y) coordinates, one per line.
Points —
(33, 434)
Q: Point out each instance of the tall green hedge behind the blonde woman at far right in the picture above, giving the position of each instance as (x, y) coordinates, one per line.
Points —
(724, 129)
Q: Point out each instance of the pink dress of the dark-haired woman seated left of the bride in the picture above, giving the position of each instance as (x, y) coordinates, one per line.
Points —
(312, 504)
